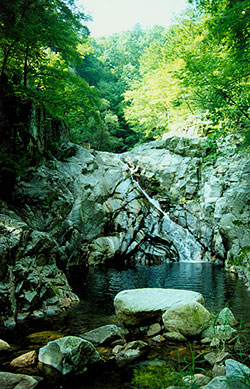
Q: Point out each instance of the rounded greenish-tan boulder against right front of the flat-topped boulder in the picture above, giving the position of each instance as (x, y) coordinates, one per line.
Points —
(187, 318)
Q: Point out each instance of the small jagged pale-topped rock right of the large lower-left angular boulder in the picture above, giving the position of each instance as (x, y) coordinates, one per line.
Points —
(130, 352)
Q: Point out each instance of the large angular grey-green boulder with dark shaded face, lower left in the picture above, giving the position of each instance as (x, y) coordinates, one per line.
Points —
(69, 354)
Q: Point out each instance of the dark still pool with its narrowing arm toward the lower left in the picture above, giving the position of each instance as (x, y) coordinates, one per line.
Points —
(98, 286)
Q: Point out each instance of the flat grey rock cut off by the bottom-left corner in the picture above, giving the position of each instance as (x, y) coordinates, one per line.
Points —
(18, 381)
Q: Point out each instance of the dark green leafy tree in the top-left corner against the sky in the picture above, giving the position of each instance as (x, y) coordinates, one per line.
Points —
(28, 28)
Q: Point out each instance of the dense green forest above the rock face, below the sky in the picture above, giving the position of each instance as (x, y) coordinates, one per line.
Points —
(124, 89)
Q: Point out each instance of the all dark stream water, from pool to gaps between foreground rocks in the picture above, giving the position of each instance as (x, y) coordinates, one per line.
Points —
(97, 288)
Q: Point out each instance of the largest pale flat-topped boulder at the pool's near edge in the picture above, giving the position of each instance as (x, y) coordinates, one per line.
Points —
(137, 306)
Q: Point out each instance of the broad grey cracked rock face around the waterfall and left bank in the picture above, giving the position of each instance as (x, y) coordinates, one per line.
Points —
(163, 201)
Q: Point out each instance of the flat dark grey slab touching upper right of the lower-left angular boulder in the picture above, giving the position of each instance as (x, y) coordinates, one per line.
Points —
(103, 335)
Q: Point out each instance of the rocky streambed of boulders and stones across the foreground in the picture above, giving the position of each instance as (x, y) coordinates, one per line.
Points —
(157, 330)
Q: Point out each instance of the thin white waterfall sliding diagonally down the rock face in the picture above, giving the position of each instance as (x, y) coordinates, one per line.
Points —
(189, 249)
